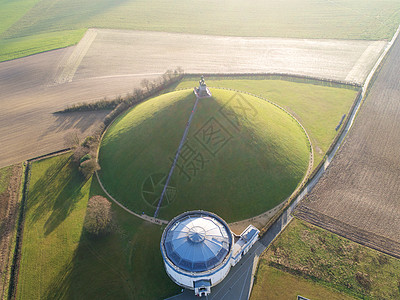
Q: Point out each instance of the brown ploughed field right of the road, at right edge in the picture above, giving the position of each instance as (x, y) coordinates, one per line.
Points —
(358, 196)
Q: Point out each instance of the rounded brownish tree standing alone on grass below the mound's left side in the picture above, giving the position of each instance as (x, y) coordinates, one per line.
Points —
(98, 220)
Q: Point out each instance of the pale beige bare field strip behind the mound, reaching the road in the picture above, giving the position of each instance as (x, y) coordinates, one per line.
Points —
(123, 53)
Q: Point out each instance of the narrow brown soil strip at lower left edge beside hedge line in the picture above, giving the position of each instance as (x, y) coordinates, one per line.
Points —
(9, 209)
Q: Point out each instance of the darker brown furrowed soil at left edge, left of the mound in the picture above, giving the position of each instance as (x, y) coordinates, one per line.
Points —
(29, 97)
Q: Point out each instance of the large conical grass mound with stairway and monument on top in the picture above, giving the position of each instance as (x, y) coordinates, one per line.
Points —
(242, 155)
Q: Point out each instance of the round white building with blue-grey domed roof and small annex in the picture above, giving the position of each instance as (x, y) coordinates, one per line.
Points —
(199, 249)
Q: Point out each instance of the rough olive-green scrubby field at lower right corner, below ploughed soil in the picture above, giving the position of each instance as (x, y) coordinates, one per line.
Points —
(308, 256)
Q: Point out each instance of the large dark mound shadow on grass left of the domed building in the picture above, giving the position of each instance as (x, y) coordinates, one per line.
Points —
(126, 264)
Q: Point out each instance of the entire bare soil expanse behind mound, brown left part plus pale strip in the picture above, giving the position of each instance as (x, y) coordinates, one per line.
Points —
(108, 63)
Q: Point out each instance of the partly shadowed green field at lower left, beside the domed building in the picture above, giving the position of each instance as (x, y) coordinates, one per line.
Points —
(59, 261)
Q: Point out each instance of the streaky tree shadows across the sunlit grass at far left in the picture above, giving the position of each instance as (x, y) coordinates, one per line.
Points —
(56, 191)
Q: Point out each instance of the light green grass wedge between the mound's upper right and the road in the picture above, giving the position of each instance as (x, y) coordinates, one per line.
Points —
(318, 108)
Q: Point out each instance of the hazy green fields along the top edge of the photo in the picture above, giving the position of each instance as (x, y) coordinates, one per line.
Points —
(62, 23)
